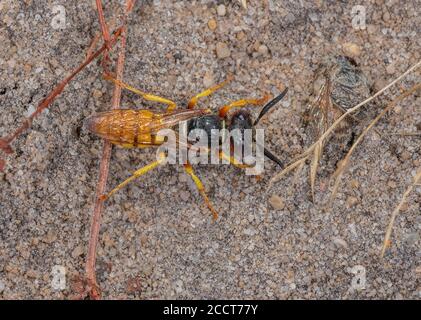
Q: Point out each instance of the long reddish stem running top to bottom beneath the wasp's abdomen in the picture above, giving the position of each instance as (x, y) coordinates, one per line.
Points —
(93, 289)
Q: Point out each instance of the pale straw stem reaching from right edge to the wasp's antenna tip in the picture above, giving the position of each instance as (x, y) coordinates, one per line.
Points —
(315, 146)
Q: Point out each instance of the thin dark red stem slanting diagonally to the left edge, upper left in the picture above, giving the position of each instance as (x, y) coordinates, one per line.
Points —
(5, 142)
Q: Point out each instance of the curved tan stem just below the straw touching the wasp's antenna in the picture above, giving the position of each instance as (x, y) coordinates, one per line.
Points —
(341, 169)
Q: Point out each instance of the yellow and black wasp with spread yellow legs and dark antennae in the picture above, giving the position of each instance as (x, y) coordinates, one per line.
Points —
(139, 128)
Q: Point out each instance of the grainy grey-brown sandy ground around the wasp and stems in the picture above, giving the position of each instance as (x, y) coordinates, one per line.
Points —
(157, 239)
